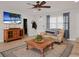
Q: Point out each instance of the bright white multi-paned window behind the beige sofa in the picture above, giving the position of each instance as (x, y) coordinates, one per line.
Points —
(56, 22)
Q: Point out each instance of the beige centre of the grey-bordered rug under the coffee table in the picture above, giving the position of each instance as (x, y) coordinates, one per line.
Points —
(57, 51)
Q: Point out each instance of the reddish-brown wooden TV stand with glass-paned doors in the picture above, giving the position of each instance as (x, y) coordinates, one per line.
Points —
(12, 34)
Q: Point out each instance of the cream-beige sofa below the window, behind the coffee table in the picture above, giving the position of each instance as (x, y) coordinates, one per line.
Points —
(57, 38)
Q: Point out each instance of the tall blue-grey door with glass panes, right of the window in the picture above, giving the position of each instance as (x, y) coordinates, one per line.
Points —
(66, 25)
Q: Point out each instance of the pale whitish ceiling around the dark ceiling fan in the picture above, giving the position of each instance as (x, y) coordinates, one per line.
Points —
(23, 6)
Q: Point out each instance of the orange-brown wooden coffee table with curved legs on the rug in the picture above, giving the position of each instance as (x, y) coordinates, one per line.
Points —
(40, 46)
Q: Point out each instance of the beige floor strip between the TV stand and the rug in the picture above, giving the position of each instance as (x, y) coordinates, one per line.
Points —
(12, 44)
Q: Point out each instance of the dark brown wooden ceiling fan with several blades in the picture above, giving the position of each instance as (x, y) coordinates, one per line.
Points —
(39, 5)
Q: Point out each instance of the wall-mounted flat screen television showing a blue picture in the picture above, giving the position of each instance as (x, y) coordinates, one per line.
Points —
(11, 17)
